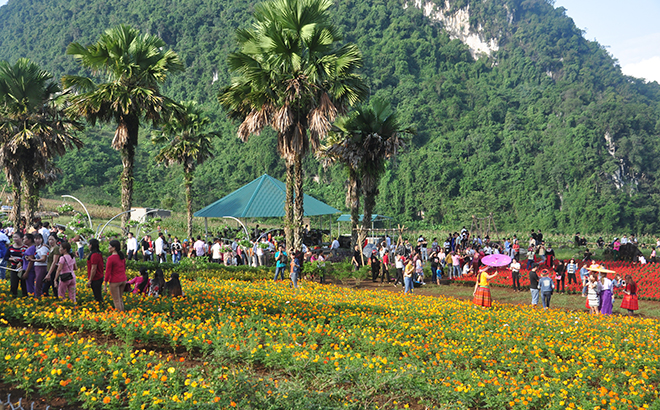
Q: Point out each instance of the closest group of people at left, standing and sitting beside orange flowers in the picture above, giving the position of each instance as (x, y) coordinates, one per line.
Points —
(41, 260)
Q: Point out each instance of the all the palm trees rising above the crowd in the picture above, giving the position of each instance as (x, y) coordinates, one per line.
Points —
(290, 73)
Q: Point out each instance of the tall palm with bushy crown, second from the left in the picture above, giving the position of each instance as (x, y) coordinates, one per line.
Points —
(135, 65)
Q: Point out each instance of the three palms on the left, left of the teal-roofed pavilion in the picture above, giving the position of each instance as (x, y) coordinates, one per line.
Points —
(39, 121)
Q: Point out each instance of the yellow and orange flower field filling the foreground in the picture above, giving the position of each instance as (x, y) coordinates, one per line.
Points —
(263, 345)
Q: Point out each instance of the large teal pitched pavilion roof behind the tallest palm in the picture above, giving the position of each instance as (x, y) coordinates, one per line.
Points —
(262, 198)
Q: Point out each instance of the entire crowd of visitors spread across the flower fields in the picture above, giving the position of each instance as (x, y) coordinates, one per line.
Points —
(40, 260)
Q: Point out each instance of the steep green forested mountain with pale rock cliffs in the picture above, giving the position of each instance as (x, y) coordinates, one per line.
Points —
(516, 113)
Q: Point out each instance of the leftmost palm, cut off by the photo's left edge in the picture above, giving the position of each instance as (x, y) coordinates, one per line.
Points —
(34, 129)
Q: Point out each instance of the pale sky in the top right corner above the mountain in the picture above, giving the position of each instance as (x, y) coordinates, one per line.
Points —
(628, 29)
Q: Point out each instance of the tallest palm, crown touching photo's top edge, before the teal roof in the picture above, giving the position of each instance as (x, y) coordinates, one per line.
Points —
(290, 74)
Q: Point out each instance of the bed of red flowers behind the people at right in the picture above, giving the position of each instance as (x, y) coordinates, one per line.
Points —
(647, 277)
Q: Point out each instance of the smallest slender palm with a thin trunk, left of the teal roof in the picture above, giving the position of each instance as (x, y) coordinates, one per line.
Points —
(186, 144)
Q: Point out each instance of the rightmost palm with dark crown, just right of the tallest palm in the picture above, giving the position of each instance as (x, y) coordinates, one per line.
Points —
(364, 141)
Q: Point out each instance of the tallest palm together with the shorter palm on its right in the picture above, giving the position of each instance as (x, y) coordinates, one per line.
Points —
(291, 74)
